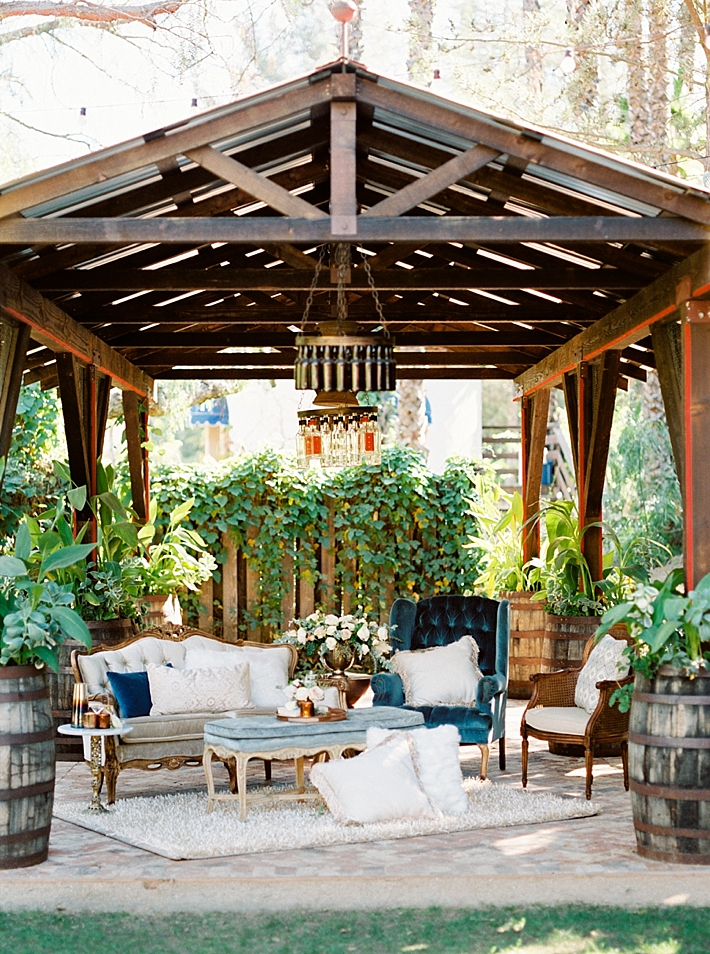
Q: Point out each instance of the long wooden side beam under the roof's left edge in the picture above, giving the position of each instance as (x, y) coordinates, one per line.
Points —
(55, 330)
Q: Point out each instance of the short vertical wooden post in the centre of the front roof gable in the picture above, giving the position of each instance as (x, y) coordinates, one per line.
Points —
(343, 115)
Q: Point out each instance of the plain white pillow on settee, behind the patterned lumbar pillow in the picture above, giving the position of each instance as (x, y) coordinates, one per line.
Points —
(268, 669)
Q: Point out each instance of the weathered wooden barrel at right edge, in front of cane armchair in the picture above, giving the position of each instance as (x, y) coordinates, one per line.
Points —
(669, 766)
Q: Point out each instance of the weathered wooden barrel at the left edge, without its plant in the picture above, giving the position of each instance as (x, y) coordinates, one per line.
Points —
(26, 766)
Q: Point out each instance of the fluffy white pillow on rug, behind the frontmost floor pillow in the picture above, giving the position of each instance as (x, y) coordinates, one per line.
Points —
(438, 764)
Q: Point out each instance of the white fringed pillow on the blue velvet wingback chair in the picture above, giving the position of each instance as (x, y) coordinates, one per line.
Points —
(443, 675)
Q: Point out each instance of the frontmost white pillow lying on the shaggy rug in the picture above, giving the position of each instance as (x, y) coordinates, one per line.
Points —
(379, 785)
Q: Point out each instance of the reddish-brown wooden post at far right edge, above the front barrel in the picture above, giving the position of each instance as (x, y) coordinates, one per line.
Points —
(696, 413)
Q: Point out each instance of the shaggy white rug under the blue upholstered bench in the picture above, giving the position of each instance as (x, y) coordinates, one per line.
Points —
(178, 826)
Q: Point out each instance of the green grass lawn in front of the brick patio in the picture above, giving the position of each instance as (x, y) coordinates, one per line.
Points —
(561, 930)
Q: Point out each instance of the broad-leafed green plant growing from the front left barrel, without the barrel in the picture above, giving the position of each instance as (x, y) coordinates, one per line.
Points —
(35, 609)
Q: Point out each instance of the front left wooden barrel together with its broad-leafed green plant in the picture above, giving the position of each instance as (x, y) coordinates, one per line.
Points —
(36, 617)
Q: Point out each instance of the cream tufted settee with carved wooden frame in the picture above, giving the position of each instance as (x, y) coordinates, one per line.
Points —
(167, 741)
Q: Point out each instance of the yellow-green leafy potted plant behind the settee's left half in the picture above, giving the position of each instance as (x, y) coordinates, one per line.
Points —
(171, 560)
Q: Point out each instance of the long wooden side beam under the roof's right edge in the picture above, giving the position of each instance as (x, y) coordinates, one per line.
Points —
(626, 324)
